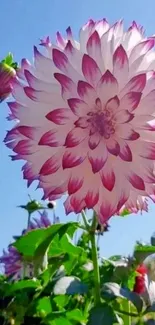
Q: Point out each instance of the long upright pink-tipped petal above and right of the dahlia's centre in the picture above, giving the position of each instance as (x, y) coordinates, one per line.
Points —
(120, 66)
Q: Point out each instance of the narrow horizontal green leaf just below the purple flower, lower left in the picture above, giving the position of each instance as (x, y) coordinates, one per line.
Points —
(23, 284)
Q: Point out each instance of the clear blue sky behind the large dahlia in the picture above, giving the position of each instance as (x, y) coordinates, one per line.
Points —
(22, 24)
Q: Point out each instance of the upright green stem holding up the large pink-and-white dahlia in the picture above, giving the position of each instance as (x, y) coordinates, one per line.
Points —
(97, 296)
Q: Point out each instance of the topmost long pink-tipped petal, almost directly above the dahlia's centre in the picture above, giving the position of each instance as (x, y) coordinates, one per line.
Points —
(94, 49)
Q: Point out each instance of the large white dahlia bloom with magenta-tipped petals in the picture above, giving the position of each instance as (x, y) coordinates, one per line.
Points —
(85, 118)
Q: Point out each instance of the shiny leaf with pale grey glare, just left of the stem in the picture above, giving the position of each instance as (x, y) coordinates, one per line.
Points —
(69, 285)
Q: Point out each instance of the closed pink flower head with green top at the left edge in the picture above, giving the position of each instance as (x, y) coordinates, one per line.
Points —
(7, 74)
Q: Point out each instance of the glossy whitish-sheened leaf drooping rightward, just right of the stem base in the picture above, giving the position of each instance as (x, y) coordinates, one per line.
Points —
(114, 289)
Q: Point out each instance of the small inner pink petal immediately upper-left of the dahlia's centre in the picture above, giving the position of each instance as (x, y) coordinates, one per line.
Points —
(78, 106)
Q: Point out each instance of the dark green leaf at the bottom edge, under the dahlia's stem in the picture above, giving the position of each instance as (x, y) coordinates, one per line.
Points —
(103, 315)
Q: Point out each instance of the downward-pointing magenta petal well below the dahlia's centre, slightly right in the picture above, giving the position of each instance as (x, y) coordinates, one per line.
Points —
(108, 177)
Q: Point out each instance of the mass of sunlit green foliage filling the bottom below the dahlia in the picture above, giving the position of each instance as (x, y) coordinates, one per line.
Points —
(61, 291)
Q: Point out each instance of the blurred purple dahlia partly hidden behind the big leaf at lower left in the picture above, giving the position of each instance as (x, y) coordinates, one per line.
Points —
(12, 260)
